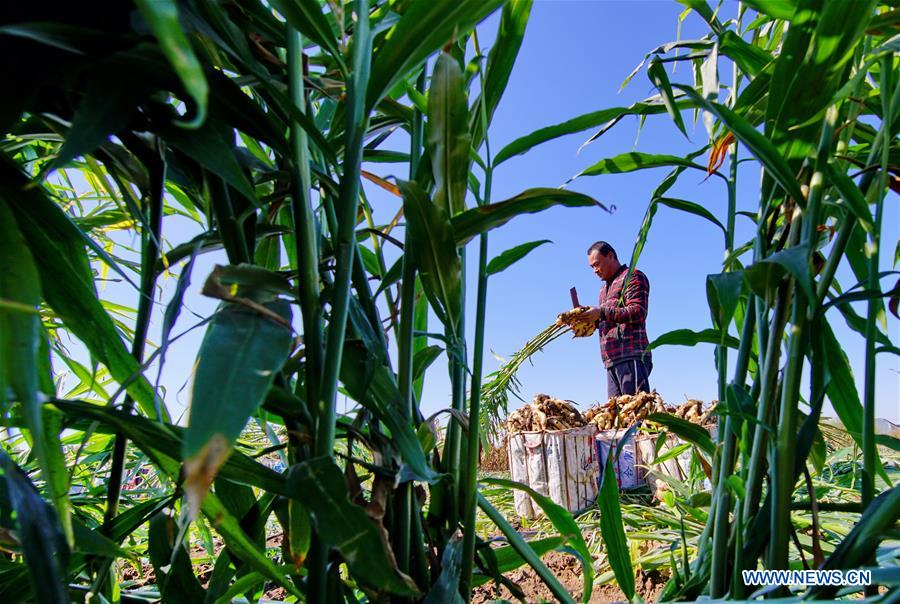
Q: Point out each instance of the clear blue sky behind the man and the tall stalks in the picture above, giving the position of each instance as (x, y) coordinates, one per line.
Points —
(574, 57)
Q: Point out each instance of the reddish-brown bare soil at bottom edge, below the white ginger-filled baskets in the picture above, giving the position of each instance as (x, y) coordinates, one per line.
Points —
(568, 570)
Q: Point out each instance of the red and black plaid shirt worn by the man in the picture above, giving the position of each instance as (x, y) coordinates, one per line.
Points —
(622, 326)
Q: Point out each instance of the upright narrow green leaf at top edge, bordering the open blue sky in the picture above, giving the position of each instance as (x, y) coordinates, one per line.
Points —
(500, 61)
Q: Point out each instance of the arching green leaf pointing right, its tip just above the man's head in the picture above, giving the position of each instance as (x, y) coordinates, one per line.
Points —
(484, 218)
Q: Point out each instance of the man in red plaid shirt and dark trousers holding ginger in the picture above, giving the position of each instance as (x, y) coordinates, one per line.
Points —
(621, 320)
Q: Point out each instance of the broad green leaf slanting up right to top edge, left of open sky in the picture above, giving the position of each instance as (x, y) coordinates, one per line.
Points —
(425, 27)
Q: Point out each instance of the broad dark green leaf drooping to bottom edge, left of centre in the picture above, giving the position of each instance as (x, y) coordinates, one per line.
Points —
(319, 485)
